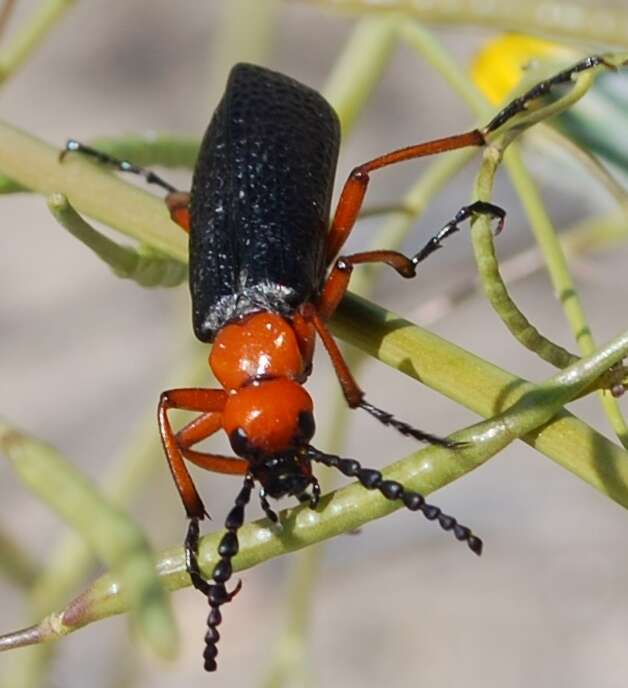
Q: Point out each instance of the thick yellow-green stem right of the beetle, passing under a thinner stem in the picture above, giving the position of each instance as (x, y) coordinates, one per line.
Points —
(481, 387)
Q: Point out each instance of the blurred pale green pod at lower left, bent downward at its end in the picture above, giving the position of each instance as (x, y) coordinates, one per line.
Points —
(113, 537)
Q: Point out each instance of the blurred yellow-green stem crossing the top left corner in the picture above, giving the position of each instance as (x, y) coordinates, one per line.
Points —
(29, 38)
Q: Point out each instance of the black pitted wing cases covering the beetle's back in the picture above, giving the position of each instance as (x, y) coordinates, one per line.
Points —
(260, 199)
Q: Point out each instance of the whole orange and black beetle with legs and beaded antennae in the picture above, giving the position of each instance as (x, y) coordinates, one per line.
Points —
(266, 274)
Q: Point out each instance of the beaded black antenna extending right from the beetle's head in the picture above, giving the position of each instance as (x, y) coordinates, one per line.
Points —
(373, 480)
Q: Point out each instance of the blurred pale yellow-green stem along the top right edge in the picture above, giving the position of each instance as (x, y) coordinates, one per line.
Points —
(591, 24)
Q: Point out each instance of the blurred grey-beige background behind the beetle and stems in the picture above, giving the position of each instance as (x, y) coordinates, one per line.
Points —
(84, 357)
